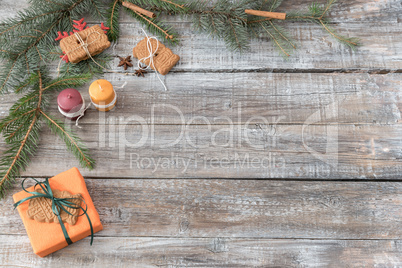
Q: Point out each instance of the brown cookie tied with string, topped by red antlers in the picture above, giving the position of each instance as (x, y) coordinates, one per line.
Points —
(95, 38)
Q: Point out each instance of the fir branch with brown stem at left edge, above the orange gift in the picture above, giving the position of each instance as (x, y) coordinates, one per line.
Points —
(21, 127)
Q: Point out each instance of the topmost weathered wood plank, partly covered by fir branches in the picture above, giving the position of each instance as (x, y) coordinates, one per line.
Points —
(381, 50)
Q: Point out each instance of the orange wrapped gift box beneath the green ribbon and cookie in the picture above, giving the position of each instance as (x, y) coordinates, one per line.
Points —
(47, 236)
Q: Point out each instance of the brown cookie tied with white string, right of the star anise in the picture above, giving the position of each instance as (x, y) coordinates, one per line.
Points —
(163, 60)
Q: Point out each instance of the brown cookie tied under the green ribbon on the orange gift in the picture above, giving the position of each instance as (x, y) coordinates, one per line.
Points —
(40, 209)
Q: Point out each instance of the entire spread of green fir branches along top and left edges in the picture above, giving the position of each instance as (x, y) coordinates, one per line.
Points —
(27, 45)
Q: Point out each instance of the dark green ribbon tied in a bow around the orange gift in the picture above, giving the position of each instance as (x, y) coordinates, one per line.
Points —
(58, 204)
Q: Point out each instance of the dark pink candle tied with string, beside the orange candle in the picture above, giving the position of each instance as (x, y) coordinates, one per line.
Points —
(71, 103)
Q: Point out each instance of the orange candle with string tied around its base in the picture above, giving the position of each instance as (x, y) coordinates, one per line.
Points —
(102, 95)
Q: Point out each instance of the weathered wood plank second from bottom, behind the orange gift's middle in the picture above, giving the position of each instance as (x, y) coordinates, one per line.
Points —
(238, 208)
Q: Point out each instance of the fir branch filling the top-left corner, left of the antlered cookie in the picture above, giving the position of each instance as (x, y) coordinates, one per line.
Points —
(26, 39)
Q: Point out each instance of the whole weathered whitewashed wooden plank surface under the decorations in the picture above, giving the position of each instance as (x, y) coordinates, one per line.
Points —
(340, 206)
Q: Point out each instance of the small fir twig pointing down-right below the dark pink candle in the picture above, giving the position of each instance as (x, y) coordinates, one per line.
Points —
(71, 140)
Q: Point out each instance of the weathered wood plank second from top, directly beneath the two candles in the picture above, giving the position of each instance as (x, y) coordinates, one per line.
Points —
(223, 98)
